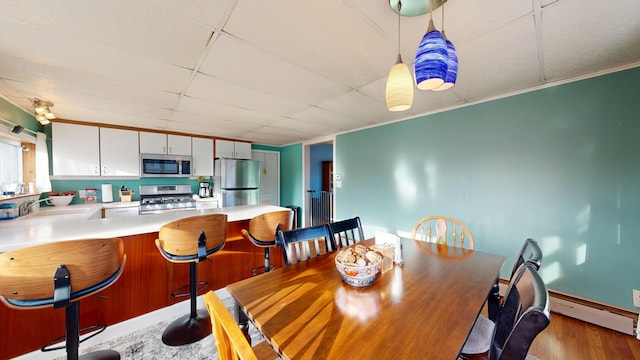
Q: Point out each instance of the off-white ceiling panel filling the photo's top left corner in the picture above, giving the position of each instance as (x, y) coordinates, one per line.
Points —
(160, 33)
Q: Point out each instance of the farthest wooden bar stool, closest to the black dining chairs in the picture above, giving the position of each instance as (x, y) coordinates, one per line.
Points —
(262, 233)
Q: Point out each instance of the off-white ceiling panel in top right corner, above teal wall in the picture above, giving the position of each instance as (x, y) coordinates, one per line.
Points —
(579, 42)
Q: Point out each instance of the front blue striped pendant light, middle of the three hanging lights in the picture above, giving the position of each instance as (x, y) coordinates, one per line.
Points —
(430, 66)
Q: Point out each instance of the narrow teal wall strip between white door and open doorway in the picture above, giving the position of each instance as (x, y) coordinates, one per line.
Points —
(291, 175)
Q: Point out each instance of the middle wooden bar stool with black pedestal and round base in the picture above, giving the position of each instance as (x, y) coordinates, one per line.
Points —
(191, 240)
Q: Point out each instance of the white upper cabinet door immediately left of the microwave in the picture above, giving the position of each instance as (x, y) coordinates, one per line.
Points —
(119, 155)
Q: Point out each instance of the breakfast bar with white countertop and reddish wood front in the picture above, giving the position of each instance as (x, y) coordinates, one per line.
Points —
(148, 279)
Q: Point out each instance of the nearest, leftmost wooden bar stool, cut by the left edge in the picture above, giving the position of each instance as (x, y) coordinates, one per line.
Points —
(60, 274)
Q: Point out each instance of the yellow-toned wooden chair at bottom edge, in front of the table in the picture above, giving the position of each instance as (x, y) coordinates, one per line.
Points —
(230, 341)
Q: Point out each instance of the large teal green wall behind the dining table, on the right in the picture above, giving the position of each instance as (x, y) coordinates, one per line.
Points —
(559, 165)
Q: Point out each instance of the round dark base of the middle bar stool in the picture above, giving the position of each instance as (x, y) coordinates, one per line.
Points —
(186, 329)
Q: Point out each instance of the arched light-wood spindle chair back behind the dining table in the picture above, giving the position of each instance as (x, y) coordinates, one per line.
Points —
(460, 236)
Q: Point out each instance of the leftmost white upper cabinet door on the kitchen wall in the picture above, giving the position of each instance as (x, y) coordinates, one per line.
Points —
(75, 149)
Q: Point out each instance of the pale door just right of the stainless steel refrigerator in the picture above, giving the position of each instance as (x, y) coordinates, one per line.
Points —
(269, 176)
